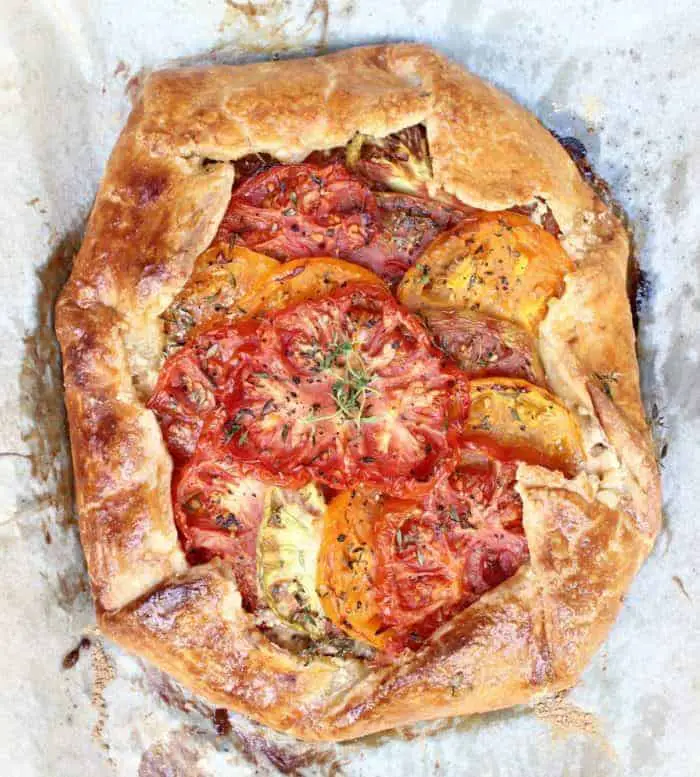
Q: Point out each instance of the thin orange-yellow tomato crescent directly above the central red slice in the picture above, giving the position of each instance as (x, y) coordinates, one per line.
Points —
(306, 278)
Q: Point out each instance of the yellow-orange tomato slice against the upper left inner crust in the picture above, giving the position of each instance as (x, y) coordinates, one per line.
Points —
(222, 276)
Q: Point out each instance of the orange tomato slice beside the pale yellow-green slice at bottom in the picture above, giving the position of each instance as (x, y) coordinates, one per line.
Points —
(346, 567)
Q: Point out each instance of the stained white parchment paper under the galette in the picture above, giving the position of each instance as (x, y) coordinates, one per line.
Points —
(622, 77)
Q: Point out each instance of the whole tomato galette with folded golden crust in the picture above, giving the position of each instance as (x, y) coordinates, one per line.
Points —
(353, 398)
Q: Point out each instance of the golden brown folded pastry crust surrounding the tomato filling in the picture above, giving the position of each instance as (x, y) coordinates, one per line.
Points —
(159, 206)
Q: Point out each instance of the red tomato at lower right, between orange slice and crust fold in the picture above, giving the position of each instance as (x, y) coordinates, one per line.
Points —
(436, 559)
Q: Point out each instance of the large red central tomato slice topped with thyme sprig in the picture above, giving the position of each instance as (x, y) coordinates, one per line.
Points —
(343, 389)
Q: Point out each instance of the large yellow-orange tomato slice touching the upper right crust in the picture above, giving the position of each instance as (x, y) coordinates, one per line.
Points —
(501, 264)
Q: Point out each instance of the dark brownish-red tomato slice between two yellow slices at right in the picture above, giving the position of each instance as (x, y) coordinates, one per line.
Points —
(483, 346)
